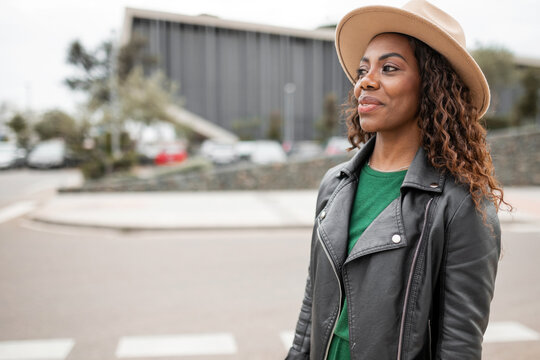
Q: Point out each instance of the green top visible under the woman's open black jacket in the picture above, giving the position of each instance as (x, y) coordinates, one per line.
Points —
(376, 190)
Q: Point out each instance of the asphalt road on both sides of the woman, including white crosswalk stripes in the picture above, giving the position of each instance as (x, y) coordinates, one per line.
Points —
(98, 294)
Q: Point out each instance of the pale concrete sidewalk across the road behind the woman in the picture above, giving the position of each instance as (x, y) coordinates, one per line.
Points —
(220, 210)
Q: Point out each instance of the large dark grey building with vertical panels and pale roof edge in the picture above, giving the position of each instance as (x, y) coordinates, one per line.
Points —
(236, 74)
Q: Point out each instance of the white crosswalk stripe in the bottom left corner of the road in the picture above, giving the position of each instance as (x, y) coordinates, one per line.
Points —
(52, 349)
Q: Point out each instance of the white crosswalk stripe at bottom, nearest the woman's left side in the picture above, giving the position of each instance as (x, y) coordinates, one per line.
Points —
(176, 345)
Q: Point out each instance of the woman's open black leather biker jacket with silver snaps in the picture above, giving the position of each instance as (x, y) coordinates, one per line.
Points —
(418, 282)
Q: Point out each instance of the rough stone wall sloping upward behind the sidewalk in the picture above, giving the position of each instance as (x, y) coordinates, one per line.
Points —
(516, 155)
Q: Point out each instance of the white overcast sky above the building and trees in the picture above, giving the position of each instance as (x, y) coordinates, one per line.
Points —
(35, 34)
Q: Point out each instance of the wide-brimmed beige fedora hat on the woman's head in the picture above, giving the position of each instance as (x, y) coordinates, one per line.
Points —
(417, 18)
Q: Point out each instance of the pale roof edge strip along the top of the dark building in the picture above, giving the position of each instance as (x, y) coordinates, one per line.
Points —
(211, 21)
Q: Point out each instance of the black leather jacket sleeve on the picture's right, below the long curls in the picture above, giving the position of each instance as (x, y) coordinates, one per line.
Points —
(467, 280)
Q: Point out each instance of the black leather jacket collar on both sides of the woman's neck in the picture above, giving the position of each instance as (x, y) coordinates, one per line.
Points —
(421, 174)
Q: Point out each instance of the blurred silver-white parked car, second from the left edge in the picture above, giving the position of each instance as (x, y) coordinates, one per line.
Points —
(48, 154)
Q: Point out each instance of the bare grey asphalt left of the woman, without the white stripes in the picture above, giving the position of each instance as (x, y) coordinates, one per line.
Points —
(95, 287)
